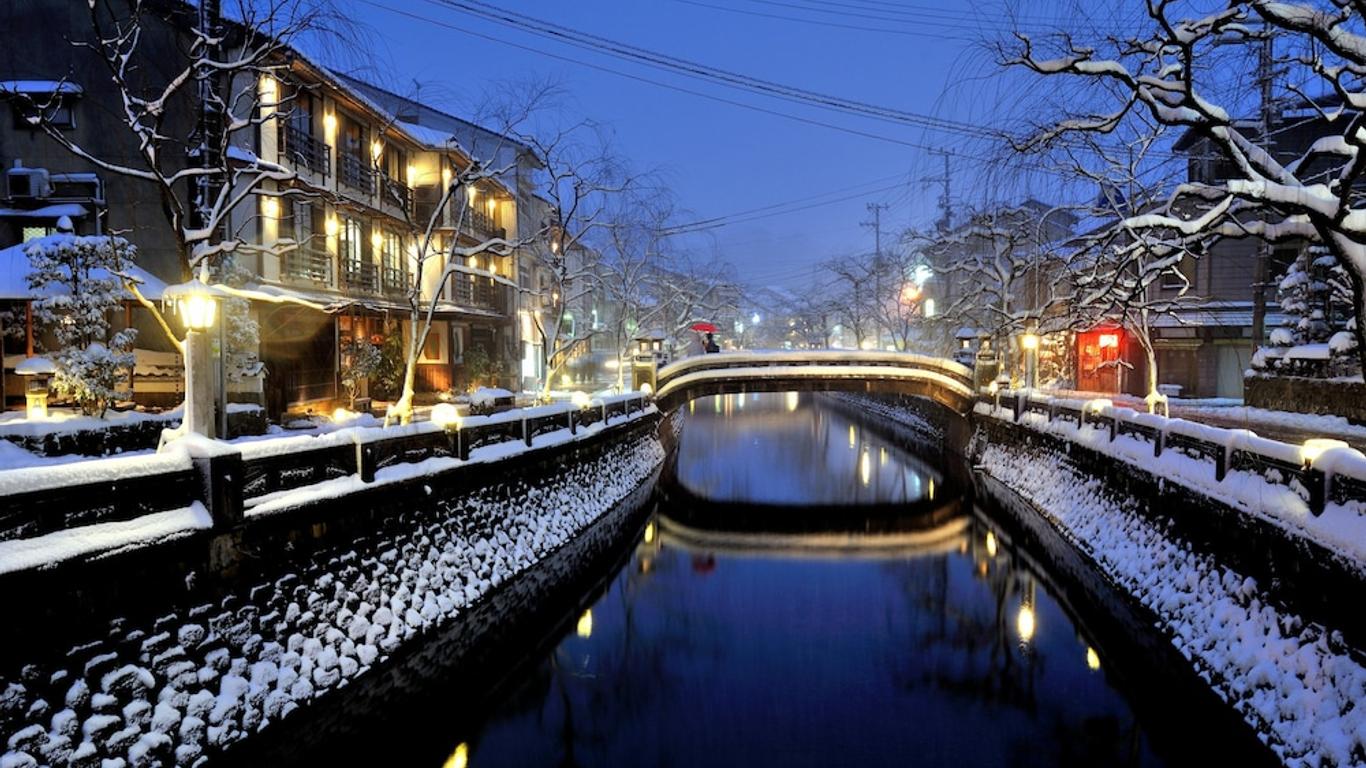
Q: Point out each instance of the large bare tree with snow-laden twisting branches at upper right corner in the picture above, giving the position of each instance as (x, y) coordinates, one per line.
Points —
(1158, 73)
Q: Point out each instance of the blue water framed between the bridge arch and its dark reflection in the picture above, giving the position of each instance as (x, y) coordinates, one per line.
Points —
(779, 443)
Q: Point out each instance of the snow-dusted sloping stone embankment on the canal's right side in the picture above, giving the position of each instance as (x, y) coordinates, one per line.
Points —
(1297, 684)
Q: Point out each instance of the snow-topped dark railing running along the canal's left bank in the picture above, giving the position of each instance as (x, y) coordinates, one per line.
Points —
(222, 476)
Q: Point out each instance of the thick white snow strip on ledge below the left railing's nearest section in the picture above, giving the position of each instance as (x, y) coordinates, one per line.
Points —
(107, 538)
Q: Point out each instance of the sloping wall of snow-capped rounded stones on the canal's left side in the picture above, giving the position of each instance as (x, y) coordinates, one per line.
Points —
(186, 687)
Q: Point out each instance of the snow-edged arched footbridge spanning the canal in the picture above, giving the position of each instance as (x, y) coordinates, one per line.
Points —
(849, 371)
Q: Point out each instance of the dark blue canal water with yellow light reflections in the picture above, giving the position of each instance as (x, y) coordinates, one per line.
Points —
(812, 595)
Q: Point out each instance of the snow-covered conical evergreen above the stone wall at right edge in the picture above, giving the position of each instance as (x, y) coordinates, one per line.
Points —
(1316, 338)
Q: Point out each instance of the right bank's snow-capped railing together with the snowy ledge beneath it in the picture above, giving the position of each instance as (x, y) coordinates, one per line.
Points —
(1315, 478)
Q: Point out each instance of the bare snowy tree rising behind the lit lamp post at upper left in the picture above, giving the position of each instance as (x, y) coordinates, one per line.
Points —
(227, 76)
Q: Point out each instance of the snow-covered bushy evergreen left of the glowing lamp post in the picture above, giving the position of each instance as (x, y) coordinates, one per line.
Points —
(80, 284)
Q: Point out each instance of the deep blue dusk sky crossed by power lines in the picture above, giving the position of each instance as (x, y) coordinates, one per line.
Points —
(723, 159)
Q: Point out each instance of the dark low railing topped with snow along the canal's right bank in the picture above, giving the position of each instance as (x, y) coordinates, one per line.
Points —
(1316, 475)
